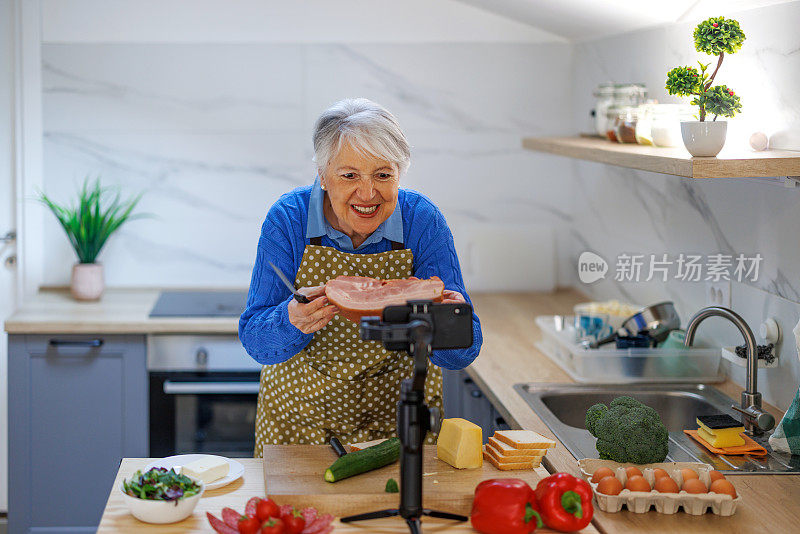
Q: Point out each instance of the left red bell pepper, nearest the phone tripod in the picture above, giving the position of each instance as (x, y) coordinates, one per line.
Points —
(505, 506)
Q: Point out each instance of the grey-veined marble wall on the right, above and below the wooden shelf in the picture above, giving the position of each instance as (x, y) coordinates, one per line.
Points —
(617, 211)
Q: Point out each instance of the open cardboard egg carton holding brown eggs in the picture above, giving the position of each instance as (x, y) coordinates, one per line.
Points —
(665, 503)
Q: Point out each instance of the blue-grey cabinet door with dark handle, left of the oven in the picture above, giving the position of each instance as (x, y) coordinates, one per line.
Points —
(77, 406)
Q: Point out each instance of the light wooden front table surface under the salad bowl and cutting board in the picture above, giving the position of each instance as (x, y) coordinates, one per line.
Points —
(116, 517)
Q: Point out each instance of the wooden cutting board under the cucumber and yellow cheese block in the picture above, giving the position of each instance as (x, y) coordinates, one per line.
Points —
(293, 474)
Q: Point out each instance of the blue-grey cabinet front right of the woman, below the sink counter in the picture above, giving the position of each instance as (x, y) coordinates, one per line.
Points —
(463, 398)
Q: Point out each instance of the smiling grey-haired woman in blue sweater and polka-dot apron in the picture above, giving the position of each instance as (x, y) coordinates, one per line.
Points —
(319, 378)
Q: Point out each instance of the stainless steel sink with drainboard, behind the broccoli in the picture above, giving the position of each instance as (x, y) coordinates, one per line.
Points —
(563, 408)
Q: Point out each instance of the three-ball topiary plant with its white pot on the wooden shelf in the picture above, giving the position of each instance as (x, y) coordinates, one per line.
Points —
(716, 36)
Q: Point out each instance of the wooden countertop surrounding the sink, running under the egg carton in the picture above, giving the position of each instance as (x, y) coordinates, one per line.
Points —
(770, 503)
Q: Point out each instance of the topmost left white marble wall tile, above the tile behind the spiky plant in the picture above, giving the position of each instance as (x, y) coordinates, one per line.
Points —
(174, 87)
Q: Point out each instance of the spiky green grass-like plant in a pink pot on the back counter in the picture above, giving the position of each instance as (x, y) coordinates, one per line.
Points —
(98, 213)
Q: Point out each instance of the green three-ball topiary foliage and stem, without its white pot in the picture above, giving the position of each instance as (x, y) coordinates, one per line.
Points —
(715, 37)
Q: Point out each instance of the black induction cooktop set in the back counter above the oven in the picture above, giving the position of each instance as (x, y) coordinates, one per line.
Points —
(199, 304)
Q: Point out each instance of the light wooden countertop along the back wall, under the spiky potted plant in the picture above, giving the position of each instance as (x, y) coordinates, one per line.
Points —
(120, 311)
